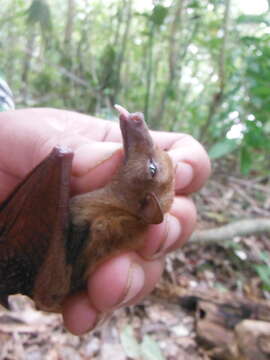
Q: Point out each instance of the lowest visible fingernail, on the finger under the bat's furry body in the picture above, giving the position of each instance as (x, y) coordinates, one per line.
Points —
(134, 284)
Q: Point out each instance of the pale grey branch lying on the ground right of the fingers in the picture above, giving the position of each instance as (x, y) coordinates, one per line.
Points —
(239, 228)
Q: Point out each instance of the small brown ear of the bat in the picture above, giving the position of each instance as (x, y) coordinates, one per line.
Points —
(151, 211)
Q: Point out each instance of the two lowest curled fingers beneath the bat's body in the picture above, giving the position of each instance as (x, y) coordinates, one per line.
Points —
(118, 282)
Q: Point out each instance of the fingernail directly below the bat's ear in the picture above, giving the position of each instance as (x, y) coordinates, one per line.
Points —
(172, 234)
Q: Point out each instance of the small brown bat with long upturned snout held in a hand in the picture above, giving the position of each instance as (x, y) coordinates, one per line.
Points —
(49, 243)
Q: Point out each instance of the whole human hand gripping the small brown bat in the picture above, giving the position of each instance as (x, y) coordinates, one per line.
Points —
(27, 136)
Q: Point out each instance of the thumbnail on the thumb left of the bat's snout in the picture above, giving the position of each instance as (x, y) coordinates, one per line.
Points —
(100, 152)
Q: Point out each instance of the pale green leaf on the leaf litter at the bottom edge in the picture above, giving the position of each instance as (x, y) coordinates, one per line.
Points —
(148, 349)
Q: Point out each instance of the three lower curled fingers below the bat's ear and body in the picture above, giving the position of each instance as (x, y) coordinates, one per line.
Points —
(125, 279)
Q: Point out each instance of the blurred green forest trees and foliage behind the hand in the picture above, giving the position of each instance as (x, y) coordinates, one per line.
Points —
(198, 66)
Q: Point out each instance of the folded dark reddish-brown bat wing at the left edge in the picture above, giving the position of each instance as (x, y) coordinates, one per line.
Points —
(33, 226)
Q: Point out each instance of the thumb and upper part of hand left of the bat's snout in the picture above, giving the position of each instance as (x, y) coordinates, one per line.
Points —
(94, 161)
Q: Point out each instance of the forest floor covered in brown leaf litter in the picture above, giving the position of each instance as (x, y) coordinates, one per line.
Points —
(159, 328)
